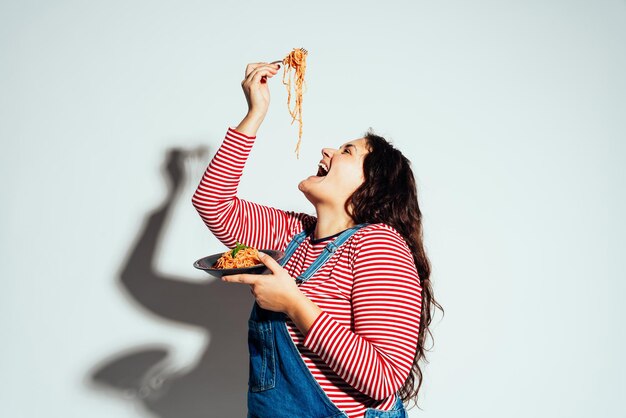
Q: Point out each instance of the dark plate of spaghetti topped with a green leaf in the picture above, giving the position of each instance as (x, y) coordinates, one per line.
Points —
(237, 260)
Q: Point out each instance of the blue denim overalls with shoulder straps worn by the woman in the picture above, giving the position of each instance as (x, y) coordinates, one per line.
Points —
(280, 384)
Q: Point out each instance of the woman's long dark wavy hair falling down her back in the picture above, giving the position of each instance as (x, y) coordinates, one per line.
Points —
(389, 195)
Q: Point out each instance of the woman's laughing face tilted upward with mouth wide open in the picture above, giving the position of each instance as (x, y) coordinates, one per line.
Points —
(340, 173)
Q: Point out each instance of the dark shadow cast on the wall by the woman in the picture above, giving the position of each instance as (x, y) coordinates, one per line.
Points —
(216, 385)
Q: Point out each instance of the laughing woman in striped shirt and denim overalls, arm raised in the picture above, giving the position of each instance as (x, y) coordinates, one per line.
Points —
(339, 326)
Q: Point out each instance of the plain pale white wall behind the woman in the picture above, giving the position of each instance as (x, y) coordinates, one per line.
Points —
(512, 112)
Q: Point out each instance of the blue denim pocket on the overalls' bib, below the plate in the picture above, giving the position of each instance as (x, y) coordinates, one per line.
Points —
(262, 356)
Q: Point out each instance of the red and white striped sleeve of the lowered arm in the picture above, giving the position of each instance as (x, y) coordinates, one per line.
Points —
(376, 356)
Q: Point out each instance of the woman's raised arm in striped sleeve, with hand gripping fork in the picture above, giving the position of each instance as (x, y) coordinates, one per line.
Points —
(228, 217)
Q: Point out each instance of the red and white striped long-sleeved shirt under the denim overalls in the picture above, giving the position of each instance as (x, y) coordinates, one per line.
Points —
(361, 348)
